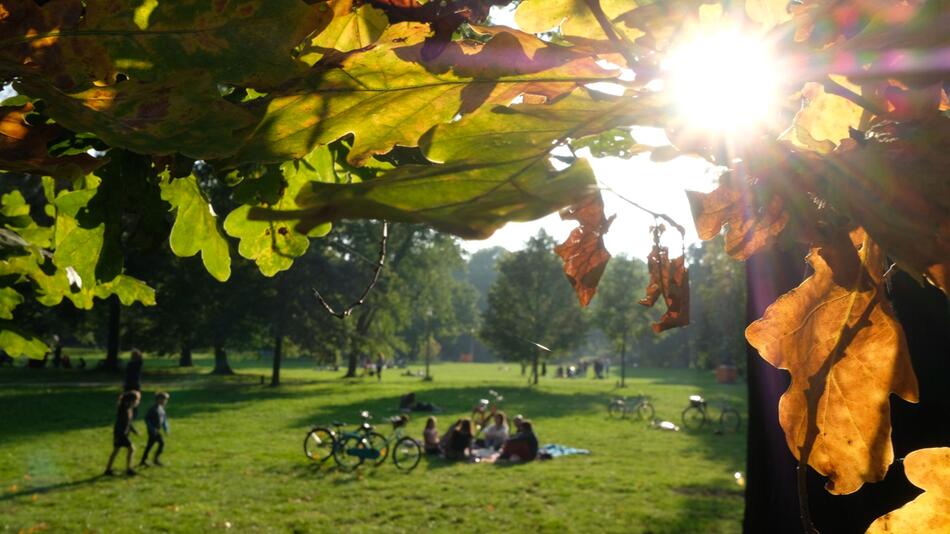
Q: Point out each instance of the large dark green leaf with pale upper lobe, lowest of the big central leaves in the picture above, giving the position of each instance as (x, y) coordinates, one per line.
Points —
(494, 168)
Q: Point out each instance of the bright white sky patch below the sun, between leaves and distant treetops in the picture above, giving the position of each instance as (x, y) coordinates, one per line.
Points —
(656, 186)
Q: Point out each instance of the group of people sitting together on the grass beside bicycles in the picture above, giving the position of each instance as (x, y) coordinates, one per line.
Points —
(487, 440)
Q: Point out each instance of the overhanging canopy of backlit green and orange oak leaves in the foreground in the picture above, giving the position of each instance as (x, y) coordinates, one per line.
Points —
(266, 122)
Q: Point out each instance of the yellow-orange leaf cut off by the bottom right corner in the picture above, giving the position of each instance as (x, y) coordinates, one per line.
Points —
(928, 469)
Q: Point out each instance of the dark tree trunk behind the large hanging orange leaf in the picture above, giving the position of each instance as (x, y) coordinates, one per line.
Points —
(771, 494)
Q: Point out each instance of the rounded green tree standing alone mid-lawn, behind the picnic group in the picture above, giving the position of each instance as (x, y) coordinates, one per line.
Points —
(532, 301)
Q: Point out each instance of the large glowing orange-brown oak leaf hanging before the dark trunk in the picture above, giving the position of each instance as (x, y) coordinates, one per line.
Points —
(837, 335)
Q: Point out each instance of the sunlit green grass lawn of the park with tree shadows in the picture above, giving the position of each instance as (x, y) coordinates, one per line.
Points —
(236, 459)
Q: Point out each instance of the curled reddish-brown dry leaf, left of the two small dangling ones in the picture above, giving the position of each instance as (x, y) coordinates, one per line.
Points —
(584, 254)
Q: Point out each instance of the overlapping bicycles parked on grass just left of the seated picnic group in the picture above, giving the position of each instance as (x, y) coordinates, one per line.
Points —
(350, 449)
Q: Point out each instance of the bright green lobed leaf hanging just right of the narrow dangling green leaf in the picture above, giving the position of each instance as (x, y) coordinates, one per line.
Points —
(273, 245)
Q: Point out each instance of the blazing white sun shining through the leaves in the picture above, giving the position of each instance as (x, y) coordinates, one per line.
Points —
(724, 81)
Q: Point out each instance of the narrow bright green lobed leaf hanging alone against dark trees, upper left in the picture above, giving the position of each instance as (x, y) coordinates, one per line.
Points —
(196, 225)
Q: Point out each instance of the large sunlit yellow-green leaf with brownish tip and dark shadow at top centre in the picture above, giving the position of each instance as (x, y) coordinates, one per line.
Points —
(389, 95)
